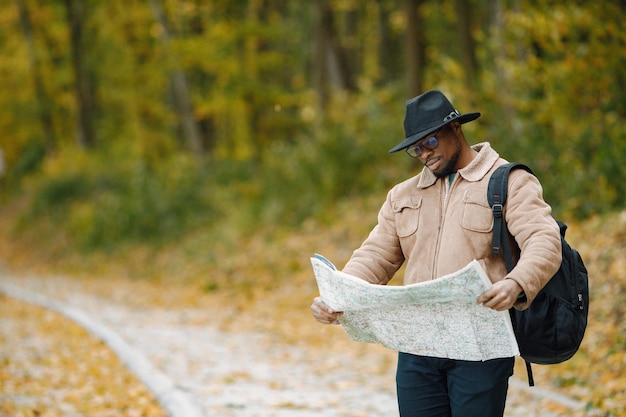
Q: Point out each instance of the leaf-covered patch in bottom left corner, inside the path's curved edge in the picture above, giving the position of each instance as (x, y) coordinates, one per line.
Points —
(51, 367)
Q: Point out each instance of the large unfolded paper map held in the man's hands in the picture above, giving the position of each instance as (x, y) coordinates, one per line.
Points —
(439, 318)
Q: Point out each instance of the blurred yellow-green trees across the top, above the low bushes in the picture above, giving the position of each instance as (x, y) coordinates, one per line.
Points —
(152, 81)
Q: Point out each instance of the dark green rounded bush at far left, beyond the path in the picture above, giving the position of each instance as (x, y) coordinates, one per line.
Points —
(101, 205)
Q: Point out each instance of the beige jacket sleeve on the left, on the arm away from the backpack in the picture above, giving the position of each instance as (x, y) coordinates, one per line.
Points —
(380, 255)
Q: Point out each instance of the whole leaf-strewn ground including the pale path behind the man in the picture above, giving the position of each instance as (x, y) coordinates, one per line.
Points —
(221, 320)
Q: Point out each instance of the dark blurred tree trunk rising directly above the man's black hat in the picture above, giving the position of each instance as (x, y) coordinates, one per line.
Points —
(415, 49)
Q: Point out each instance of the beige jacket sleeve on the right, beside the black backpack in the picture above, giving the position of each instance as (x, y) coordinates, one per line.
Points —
(529, 219)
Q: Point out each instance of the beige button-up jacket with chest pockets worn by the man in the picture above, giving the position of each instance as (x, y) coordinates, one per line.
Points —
(438, 229)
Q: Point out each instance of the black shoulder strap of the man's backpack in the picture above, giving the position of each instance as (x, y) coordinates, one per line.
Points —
(497, 192)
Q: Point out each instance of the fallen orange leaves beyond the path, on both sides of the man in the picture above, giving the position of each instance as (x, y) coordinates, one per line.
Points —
(263, 281)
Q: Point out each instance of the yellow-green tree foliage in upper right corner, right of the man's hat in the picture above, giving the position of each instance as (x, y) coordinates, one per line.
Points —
(559, 100)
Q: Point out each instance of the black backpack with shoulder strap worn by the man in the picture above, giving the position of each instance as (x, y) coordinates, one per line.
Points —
(551, 329)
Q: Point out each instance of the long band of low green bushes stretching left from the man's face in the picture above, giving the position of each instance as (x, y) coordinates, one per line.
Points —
(111, 197)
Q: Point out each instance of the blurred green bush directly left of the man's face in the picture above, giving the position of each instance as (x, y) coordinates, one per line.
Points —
(336, 160)
